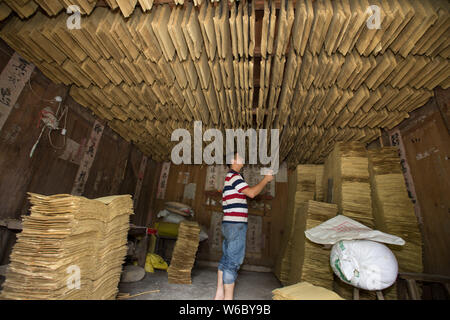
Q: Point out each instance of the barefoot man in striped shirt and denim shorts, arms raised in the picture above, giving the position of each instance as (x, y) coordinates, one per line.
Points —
(234, 226)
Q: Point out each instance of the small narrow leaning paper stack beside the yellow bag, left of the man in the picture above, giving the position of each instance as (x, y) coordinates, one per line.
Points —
(183, 256)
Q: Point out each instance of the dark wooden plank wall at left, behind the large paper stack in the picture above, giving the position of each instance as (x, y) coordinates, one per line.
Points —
(114, 170)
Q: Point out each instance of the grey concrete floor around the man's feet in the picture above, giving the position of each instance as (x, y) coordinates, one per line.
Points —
(249, 286)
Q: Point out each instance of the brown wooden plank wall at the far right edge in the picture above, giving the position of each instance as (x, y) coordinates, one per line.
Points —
(427, 145)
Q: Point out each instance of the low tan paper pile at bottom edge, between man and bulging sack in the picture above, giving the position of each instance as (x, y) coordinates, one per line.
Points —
(304, 291)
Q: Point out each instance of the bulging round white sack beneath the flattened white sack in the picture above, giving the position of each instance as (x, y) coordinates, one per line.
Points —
(364, 264)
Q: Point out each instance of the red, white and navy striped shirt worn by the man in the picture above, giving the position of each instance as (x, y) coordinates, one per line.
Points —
(234, 202)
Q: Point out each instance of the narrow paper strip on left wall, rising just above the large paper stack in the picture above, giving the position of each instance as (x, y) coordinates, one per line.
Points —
(90, 151)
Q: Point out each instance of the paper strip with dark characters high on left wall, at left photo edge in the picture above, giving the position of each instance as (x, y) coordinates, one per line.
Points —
(12, 81)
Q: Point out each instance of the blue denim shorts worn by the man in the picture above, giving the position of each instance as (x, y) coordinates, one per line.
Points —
(233, 250)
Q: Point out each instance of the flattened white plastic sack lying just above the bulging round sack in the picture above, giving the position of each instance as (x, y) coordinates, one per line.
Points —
(344, 228)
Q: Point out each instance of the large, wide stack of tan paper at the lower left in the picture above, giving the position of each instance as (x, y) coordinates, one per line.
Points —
(65, 239)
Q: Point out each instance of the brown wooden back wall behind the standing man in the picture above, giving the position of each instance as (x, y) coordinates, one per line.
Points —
(273, 221)
